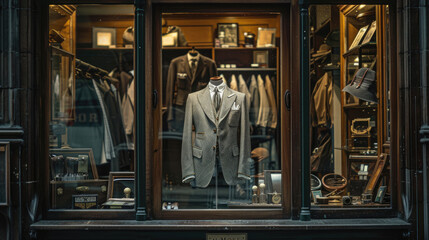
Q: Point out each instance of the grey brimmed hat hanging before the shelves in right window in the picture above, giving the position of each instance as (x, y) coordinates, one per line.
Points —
(363, 85)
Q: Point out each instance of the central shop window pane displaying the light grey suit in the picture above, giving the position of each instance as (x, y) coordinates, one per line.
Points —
(221, 123)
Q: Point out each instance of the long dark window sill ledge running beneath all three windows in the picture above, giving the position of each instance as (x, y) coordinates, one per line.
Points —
(221, 225)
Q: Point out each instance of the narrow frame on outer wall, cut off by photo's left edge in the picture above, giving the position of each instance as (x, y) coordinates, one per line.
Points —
(4, 173)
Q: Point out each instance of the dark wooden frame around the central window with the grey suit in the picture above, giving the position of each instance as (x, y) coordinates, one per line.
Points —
(155, 173)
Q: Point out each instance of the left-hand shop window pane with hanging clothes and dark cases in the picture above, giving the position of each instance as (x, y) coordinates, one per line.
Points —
(91, 127)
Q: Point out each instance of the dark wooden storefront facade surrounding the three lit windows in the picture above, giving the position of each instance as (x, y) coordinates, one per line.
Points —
(24, 124)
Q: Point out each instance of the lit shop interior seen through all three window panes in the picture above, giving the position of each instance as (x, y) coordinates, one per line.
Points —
(92, 108)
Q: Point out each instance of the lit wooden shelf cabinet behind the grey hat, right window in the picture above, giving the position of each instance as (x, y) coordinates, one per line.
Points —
(362, 45)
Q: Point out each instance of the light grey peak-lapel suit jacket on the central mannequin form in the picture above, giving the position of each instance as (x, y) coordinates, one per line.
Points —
(232, 127)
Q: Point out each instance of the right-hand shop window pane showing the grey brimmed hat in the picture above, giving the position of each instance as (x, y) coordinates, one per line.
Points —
(350, 106)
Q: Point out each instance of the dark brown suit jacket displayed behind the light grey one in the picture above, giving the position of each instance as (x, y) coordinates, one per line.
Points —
(181, 81)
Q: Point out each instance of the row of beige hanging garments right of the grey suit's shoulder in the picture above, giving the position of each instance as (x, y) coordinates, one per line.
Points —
(260, 98)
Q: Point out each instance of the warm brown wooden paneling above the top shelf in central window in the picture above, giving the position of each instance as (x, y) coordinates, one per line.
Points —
(201, 29)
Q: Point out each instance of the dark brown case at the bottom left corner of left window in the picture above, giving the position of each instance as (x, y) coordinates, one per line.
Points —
(63, 192)
